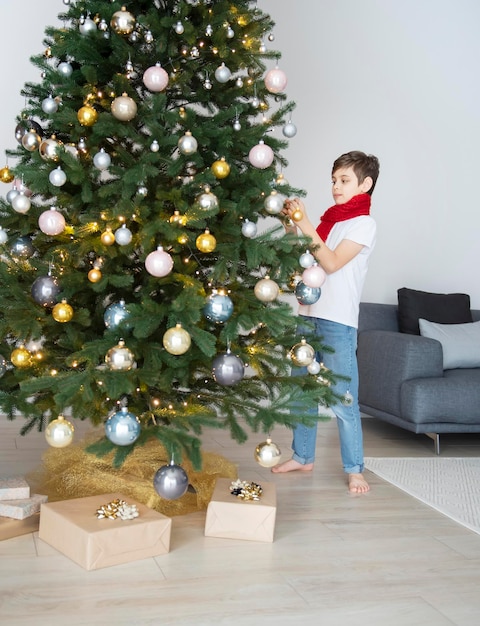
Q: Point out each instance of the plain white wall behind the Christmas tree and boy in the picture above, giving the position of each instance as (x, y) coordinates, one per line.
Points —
(399, 79)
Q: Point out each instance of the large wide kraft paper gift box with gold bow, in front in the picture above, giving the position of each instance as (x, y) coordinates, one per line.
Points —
(72, 527)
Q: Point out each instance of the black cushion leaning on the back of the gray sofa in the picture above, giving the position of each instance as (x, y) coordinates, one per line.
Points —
(451, 308)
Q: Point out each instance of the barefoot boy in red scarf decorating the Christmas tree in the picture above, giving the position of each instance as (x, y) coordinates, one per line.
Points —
(344, 240)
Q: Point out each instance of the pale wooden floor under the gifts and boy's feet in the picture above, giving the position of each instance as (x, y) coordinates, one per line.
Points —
(383, 558)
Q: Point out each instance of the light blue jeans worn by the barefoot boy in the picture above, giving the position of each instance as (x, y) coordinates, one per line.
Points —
(343, 339)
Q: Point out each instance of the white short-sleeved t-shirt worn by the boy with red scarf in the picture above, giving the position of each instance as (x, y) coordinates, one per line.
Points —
(341, 291)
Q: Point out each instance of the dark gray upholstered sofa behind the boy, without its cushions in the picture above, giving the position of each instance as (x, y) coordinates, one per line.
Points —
(402, 380)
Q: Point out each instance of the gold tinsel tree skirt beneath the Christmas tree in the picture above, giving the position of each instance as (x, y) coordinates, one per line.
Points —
(72, 472)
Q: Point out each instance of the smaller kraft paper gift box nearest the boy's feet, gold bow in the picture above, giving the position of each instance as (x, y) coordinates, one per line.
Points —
(230, 517)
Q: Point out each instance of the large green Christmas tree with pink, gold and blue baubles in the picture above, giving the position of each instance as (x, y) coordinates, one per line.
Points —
(144, 257)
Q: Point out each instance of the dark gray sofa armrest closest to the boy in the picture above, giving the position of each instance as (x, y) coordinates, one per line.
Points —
(386, 359)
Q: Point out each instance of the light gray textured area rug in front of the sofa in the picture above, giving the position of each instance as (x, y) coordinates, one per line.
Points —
(449, 485)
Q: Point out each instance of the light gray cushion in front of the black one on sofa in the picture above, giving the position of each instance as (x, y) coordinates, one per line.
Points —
(460, 342)
